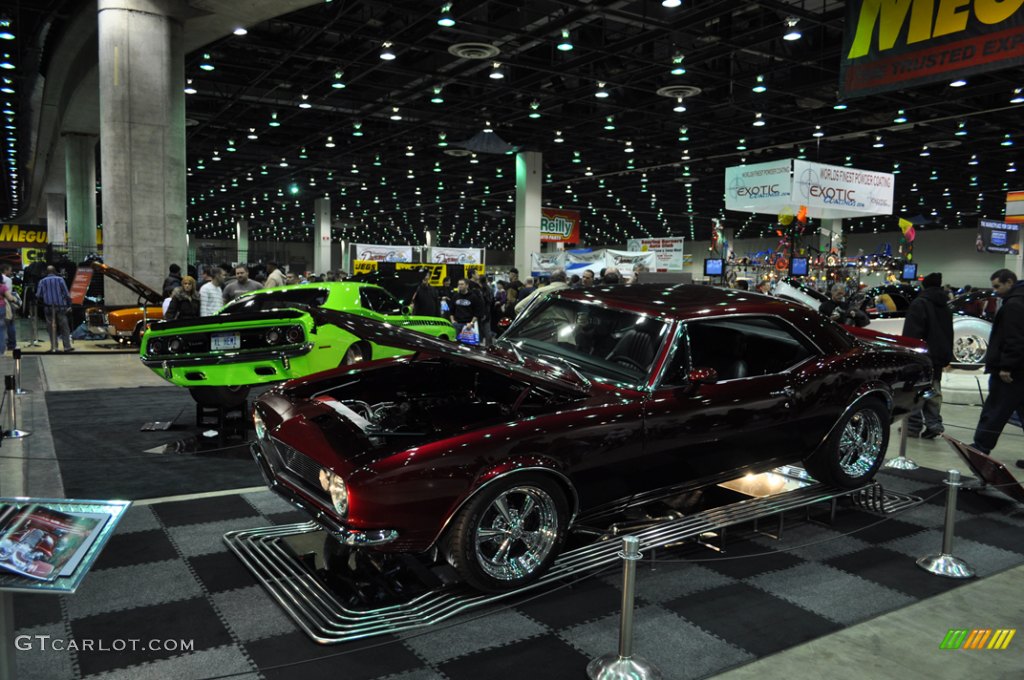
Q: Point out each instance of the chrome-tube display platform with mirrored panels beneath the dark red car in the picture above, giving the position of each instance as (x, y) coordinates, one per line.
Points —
(336, 596)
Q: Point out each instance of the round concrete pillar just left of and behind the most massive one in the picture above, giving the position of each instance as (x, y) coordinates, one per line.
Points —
(80, 183)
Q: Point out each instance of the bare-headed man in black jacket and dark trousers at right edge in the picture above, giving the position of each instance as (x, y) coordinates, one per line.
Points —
(1005, 363)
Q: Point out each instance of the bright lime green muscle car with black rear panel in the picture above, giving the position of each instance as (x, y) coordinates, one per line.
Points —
(272, 335)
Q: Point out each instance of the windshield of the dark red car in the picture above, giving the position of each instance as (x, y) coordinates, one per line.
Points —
(599, 342)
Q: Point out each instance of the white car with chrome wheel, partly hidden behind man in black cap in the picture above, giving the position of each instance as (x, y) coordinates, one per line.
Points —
(972, 317)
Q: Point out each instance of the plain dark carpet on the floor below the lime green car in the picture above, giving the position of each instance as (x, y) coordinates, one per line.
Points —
(103, 454)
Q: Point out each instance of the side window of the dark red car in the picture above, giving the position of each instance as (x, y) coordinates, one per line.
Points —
(746, 348)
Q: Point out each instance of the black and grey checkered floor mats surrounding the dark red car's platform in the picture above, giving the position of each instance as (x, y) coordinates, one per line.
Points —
(167, 575)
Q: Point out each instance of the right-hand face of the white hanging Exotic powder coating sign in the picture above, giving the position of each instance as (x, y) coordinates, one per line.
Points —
(831, 191)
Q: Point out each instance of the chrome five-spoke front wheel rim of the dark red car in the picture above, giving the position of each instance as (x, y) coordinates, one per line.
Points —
(517, 533)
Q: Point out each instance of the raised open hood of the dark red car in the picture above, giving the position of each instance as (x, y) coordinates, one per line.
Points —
(499, 360)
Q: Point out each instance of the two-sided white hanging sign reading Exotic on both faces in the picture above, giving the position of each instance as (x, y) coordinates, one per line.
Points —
(825, 191)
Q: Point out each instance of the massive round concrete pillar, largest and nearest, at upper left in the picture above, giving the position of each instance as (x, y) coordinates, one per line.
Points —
(143, 138)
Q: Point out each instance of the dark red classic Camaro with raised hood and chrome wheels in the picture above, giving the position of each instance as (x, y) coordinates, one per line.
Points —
(594, 401)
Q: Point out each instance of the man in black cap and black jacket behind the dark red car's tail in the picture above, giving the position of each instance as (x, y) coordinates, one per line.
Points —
(929, 319)
